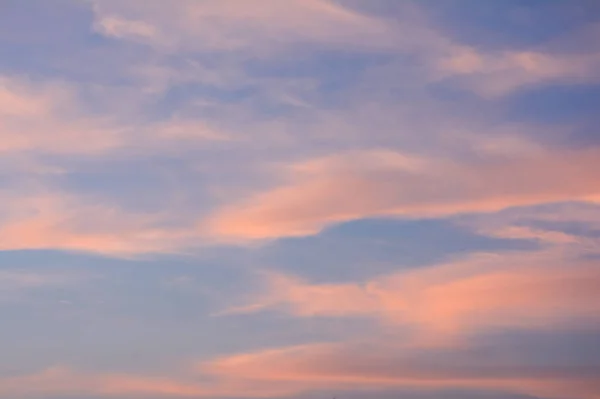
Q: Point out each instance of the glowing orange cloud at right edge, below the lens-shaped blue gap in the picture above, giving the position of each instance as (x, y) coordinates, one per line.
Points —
(537, 295)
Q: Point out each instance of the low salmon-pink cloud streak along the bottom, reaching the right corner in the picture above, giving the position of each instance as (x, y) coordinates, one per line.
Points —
(351, 367)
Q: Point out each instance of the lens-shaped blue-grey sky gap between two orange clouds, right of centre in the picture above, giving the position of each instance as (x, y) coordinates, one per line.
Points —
(365, 248)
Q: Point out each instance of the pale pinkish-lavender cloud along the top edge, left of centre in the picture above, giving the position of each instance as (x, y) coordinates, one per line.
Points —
(237, 25)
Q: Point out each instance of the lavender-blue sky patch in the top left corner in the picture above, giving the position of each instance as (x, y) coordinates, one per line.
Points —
(55, 38)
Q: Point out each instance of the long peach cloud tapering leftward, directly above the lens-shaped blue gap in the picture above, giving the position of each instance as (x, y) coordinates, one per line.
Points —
(373, 184)
